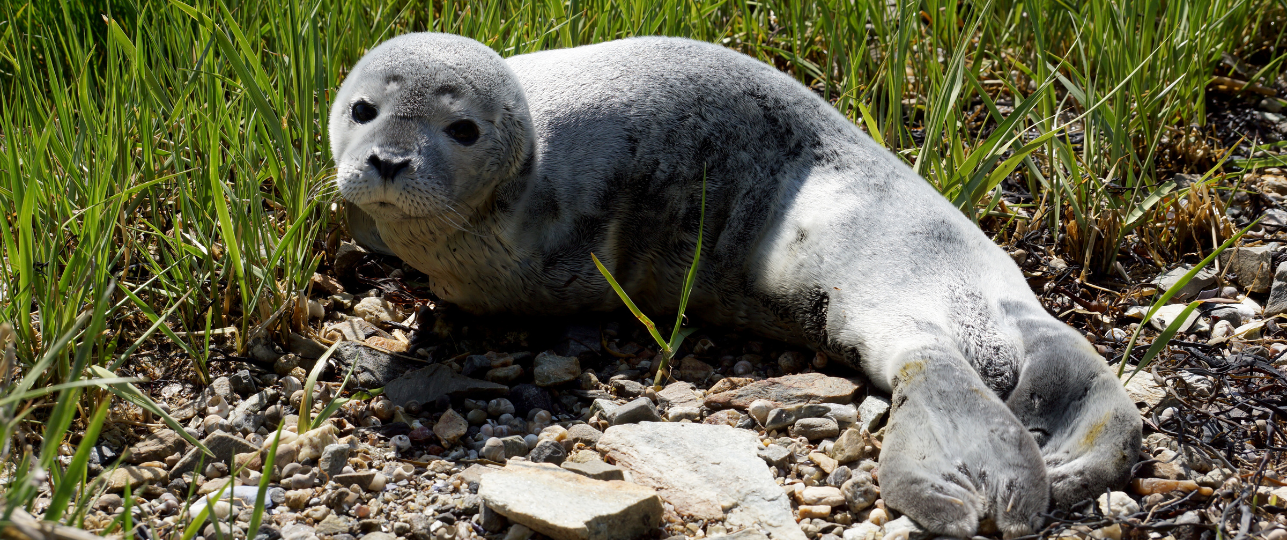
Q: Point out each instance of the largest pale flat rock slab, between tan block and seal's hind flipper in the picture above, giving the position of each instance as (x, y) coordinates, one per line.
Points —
(707, 472)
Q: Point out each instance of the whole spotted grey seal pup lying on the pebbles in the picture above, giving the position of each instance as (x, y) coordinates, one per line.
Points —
(499, 178)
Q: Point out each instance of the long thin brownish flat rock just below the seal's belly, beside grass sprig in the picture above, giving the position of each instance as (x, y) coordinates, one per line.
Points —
(790, 390)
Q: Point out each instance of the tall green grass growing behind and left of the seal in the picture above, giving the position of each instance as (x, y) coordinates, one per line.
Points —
(164, 168)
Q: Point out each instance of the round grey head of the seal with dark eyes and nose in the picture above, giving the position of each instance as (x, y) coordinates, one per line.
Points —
(428, 125)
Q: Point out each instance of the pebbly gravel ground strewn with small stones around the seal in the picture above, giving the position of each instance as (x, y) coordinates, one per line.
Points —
(469, 397)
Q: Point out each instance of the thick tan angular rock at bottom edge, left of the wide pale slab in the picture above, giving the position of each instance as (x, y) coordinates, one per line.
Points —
(566, 506)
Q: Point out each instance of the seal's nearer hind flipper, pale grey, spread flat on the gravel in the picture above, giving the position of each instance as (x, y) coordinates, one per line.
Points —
(954, 454)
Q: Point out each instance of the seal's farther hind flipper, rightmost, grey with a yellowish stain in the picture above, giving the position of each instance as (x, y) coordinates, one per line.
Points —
(1079, 413)
